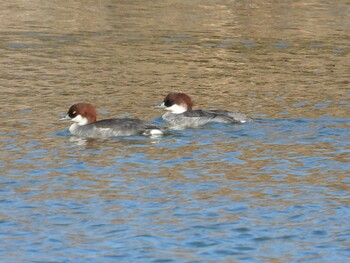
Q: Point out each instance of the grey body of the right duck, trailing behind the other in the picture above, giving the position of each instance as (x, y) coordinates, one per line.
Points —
(194, 118)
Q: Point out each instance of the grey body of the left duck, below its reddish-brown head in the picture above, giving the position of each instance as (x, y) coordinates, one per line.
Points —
(113, 127)
